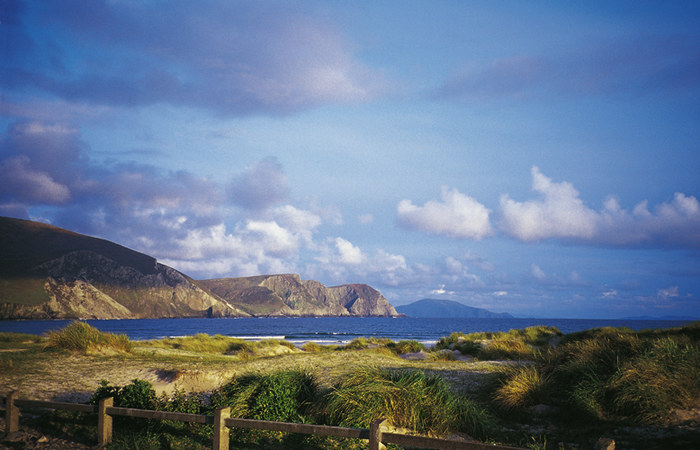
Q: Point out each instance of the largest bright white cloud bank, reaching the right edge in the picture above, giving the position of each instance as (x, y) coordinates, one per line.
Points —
(559, 213)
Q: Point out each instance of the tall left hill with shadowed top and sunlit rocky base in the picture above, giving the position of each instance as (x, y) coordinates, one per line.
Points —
(47, 272)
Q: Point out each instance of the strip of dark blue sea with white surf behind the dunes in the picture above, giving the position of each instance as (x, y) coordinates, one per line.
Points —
(323, 330)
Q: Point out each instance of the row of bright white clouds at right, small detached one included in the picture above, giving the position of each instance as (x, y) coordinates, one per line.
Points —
(559, 213)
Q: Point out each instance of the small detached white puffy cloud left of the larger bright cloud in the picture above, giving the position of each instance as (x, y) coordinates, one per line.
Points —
(457, 216)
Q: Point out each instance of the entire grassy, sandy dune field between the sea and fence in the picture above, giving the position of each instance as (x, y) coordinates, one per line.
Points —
(534, 388)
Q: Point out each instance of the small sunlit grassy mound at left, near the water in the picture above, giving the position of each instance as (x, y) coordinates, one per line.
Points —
(79, 336)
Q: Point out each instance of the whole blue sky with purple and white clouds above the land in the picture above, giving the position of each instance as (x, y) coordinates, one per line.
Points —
(539, 158)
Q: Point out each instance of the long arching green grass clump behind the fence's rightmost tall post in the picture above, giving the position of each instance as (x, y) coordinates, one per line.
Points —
(408, 398)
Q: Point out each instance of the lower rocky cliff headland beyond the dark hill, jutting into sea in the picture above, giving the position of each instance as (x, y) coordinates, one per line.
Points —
(288, 295)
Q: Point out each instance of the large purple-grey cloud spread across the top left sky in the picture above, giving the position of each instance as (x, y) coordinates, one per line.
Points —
(228, 57)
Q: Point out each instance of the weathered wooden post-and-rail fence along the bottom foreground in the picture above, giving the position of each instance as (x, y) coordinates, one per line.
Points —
(377, 434)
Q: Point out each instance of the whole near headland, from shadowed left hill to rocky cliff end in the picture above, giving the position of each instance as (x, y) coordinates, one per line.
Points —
(47, 272)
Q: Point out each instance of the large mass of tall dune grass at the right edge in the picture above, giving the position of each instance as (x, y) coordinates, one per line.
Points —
(612, 373)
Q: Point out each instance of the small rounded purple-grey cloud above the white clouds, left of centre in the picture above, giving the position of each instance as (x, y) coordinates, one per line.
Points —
(260, 186)
